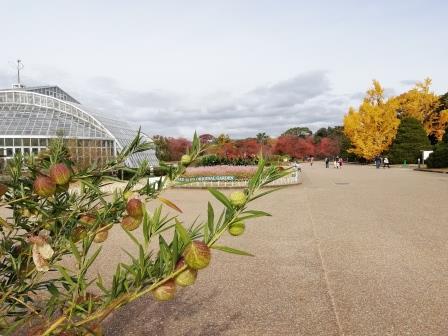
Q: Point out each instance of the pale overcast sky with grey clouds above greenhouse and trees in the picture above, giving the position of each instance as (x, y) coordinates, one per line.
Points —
(232, 66)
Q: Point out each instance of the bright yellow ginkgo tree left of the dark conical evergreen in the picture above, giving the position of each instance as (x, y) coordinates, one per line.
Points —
(372, 127)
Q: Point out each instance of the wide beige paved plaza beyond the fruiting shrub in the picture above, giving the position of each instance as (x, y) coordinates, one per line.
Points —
(357, 251)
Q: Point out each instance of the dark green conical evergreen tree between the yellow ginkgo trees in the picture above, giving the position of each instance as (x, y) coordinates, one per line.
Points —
(411, 139)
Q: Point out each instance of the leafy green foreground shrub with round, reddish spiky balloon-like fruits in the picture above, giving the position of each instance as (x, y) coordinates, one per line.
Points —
(59, 213)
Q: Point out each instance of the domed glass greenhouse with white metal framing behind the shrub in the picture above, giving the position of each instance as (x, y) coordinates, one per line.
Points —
(31, 116)
